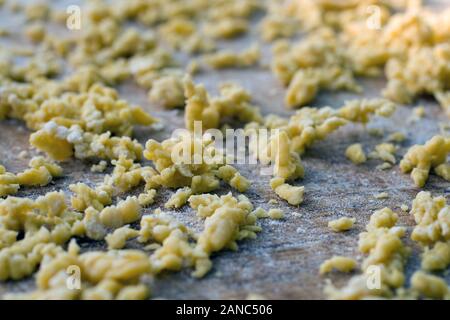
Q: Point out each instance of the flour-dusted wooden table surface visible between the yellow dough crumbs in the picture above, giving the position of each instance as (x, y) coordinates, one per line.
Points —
(282, 263)
